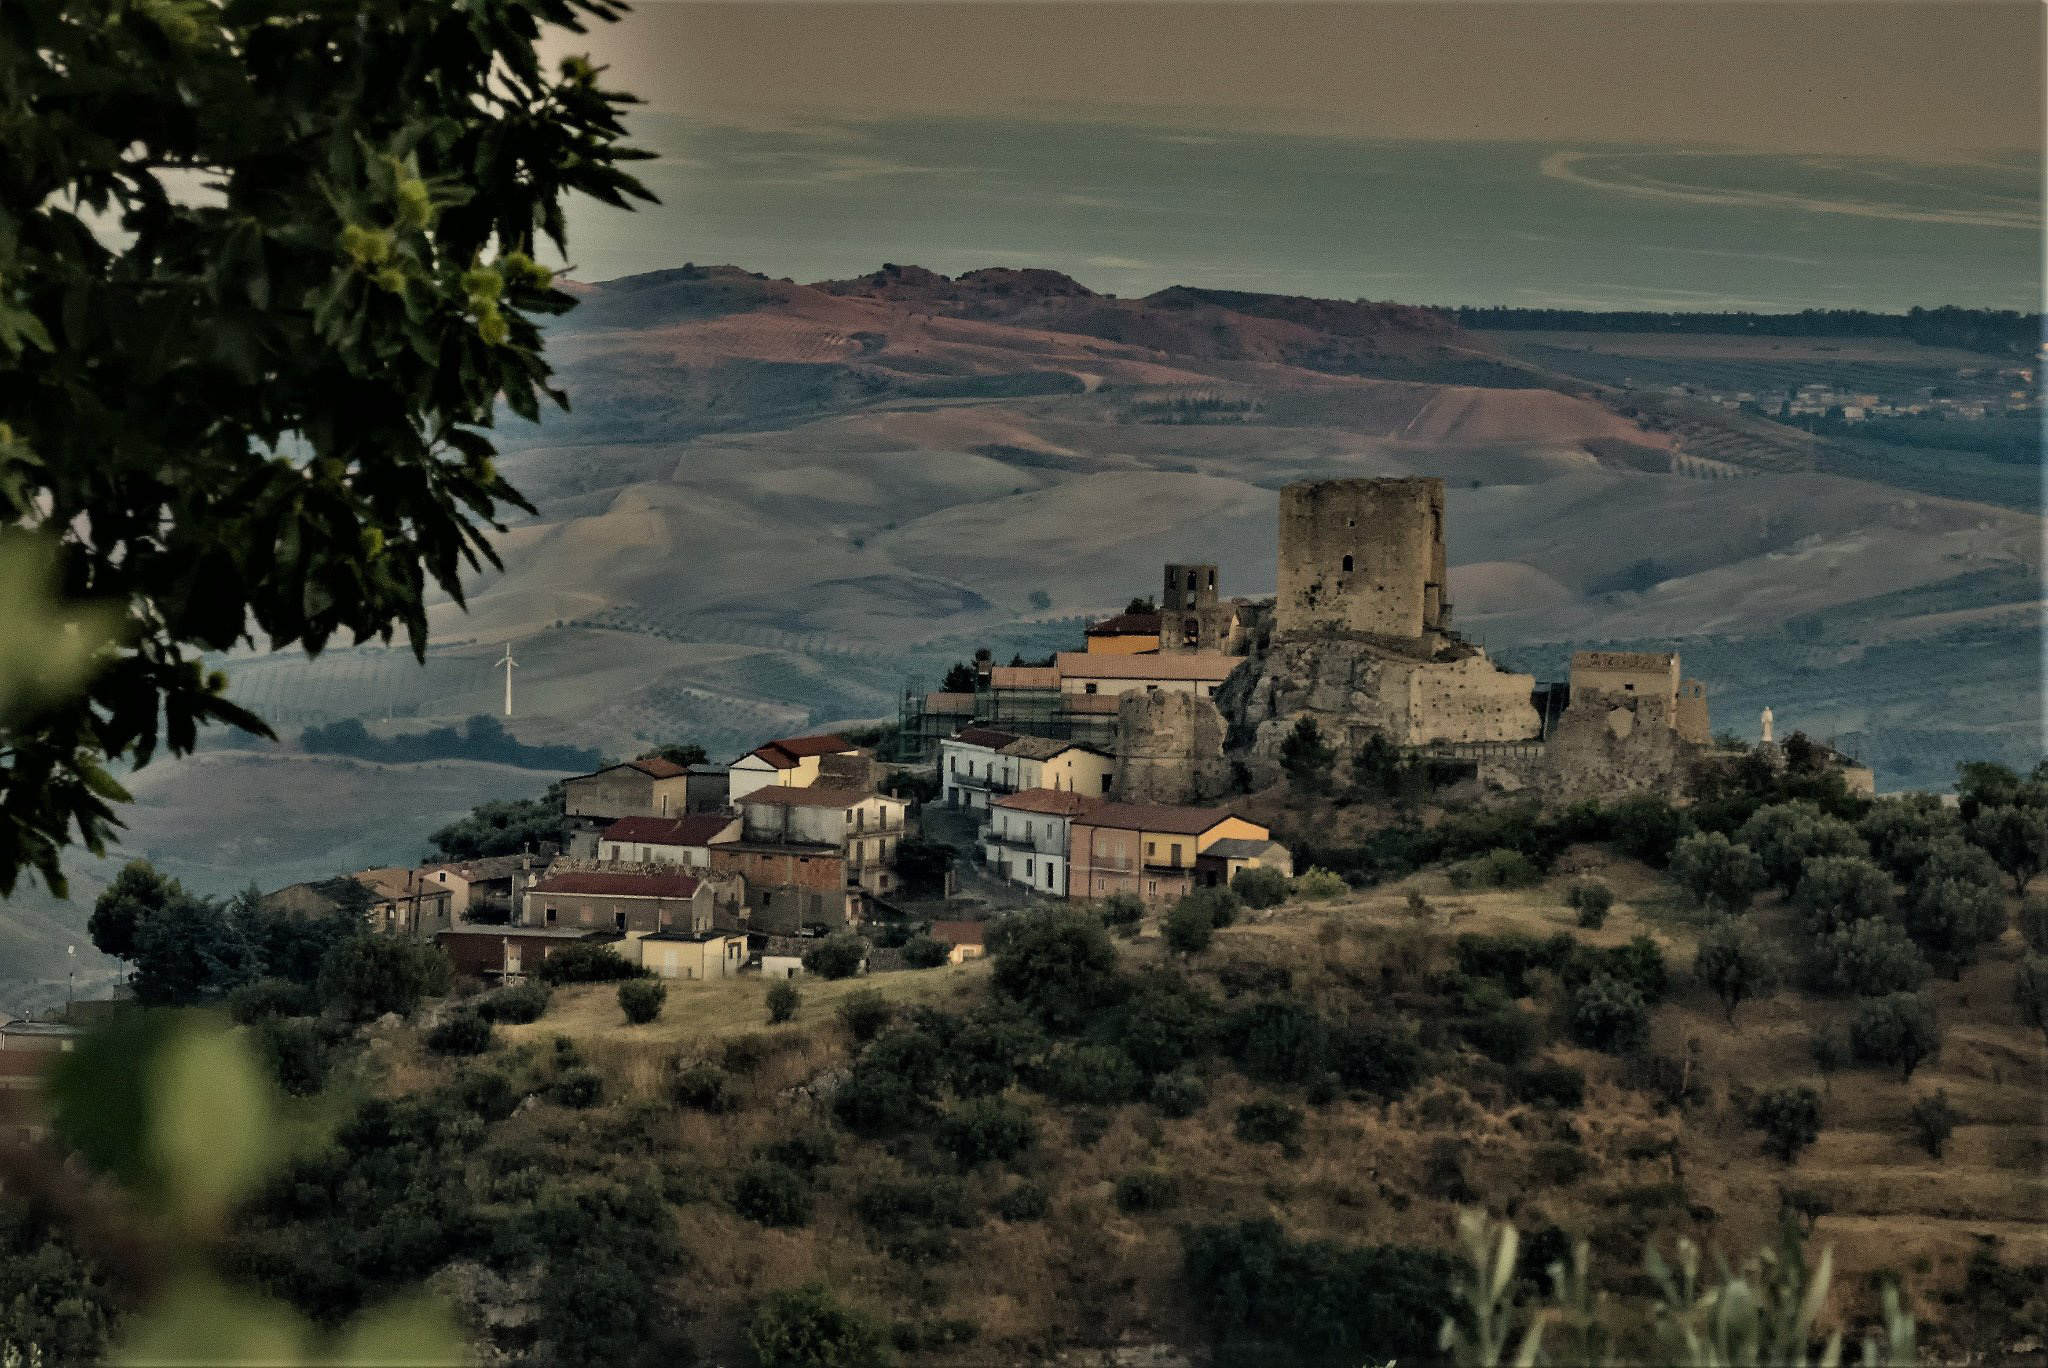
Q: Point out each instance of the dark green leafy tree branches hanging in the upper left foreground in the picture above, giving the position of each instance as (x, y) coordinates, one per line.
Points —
(265, 280)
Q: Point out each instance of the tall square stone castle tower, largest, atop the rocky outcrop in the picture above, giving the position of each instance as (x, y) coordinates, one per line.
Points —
(1363, 558)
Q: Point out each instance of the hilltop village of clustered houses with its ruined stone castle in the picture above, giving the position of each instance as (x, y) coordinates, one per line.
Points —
(1115, 769)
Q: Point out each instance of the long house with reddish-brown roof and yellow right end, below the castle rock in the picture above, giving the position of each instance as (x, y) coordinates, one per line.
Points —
(1148, 849)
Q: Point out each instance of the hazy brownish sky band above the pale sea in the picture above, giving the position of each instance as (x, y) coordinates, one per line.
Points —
(1906, 79)
